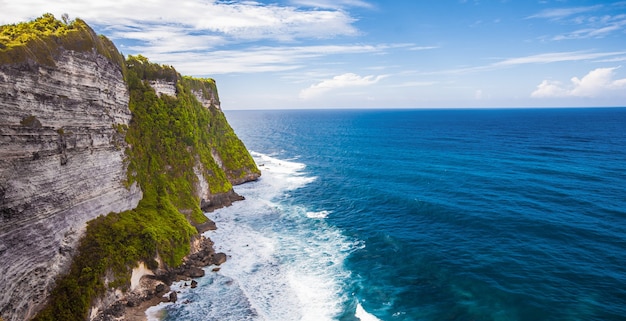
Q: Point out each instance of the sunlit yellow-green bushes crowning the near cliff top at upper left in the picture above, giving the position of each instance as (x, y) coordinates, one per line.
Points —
(42, 39)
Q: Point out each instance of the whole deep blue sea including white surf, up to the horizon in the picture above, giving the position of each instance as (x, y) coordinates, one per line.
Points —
(510, 214)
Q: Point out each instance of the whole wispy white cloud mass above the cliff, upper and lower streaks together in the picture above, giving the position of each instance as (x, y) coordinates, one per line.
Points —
(190, 34)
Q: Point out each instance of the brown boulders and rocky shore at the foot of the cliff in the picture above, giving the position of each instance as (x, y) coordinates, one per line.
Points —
(154, 289)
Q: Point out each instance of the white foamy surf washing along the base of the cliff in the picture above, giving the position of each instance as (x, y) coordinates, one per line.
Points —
(282, 265)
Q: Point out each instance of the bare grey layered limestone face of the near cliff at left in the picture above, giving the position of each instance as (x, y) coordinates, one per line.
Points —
(61, 164)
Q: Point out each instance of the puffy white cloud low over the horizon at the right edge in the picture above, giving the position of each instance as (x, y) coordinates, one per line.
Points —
(597, 83)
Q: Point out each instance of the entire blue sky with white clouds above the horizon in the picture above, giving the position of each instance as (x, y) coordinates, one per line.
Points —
(289, 54)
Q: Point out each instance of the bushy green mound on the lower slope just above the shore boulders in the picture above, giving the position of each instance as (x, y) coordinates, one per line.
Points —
(112, 244)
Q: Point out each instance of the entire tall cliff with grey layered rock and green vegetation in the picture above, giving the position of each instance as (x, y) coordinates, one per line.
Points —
(100, 154)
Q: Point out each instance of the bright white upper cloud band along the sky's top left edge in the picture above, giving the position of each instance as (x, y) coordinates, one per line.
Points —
(239, 20)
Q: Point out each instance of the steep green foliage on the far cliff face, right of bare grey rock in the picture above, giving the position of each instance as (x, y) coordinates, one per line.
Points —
(169, 136)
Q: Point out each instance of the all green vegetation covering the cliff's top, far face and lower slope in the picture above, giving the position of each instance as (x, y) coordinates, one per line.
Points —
(167, 138)
